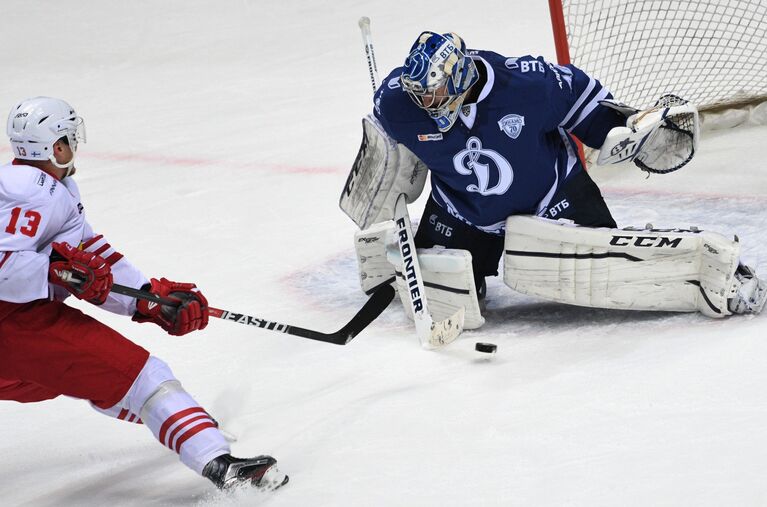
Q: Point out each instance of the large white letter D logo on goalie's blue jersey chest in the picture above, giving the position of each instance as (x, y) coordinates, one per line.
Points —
(469, 161)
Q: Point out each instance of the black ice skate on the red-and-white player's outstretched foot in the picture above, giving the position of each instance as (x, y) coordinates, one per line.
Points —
(228, 472)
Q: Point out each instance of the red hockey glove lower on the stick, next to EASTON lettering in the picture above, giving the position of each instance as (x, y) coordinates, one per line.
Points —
(190, 315)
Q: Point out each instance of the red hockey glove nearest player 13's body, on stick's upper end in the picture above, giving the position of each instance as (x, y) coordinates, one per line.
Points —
(84, 274)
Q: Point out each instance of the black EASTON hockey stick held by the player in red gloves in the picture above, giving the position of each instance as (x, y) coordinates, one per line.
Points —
(376, 304)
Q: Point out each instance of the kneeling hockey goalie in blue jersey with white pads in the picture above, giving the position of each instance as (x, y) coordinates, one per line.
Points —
(497, 134)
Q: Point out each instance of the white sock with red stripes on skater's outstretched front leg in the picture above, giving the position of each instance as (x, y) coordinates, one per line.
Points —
(173, 416)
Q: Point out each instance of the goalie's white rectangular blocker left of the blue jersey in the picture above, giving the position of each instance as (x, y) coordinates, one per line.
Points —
(382, 171)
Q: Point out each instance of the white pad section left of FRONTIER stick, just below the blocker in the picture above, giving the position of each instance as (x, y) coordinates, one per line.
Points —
(373, 267)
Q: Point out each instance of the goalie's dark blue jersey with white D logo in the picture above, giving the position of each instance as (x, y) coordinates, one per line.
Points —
(509, 152)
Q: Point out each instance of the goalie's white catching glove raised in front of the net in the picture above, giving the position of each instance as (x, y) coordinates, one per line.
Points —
(658, 140)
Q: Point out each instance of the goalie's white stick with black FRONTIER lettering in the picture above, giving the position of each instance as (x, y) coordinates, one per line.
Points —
(431, 334)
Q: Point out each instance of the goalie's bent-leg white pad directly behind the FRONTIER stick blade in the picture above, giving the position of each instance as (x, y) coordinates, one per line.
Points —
(449, 283)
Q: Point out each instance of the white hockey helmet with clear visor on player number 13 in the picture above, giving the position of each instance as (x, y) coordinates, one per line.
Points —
(35, 124)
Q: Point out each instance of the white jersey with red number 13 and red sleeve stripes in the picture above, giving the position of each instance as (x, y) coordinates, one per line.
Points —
(36, 210)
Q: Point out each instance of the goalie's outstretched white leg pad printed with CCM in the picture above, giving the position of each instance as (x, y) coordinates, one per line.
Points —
(637, 269)
